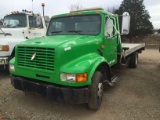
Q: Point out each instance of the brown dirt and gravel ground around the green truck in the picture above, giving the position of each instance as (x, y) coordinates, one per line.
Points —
(135, 97)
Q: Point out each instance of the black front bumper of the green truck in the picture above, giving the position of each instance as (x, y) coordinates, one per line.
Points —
(51, 91)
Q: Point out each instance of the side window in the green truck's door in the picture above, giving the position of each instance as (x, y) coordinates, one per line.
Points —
(109, 28)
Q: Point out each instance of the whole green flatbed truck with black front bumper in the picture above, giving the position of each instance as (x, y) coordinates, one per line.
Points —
(73, 62)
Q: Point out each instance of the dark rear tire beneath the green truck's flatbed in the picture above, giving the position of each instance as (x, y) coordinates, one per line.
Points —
(134, 60)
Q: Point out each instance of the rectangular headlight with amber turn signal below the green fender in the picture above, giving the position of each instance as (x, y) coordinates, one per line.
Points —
(74, 77)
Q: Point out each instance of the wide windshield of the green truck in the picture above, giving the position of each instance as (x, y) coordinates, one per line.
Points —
(83, 25)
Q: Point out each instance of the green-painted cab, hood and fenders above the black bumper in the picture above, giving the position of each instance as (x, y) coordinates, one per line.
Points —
(72, 52)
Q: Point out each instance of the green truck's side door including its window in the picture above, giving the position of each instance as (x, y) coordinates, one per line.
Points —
(110, 41)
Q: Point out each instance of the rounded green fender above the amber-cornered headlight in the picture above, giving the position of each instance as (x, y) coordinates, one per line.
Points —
(85, 64)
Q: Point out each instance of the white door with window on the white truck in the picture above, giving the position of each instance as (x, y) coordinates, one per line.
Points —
(34, 30)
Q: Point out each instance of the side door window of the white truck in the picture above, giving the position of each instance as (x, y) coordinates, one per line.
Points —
(32, 22)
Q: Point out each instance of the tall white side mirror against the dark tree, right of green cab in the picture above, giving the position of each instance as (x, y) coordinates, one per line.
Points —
(125, 23)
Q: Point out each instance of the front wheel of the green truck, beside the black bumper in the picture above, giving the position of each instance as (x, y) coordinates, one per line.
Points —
(96, 91)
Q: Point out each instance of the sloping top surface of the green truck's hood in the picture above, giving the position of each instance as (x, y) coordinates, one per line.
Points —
(58, 40)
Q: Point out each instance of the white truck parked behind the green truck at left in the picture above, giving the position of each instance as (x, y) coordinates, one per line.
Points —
(18, 27)
